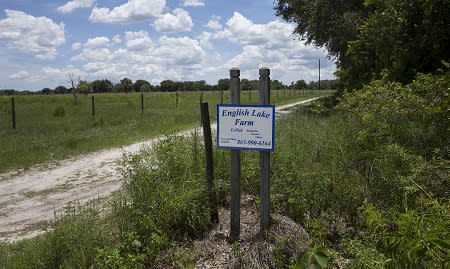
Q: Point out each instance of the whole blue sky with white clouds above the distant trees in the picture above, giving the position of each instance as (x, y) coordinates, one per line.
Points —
(41, 42)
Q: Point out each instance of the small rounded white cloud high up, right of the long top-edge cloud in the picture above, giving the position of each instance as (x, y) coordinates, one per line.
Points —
(179, 21)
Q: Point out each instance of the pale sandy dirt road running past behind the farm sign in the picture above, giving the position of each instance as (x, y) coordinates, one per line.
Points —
(30, 198)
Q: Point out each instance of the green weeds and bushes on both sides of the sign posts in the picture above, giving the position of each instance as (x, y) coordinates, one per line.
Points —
(368, 181)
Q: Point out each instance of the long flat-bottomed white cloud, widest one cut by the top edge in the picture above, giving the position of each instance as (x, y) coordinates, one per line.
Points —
(132, 11)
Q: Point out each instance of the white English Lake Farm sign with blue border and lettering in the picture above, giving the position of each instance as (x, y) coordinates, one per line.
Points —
(249, 127)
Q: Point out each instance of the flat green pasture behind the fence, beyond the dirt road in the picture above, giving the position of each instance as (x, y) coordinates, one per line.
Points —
(54, 127)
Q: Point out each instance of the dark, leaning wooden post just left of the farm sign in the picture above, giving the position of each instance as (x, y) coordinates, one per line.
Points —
(213, 210)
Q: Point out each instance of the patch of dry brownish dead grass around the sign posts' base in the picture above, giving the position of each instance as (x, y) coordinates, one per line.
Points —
(252, 250)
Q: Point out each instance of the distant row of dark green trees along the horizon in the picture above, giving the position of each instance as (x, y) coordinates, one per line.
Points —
(126, 85)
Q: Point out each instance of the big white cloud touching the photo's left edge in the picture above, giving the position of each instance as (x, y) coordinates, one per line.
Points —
(39, 35)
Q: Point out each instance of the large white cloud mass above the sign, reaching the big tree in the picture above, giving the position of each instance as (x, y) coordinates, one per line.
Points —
(271, 45)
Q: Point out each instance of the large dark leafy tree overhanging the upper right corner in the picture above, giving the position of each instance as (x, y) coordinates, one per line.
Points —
(370, 39)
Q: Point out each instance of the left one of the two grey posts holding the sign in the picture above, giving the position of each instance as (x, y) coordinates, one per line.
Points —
(235, 210)
